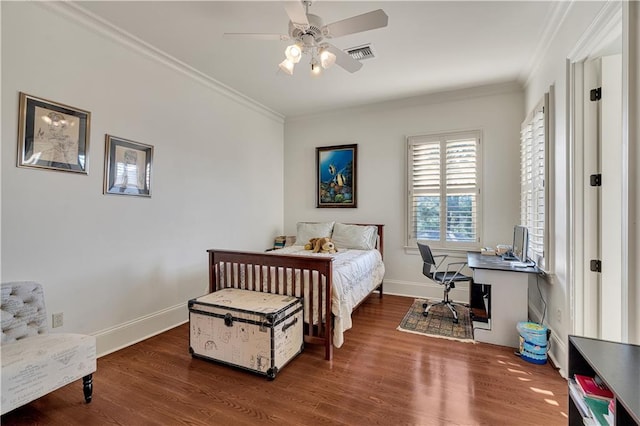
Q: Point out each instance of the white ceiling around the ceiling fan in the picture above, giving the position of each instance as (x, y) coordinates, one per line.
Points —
(428, 46)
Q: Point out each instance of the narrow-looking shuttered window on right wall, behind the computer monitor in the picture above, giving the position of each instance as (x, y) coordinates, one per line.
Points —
(533, 180)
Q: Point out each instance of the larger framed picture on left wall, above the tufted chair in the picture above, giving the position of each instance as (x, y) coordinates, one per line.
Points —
(52, 135)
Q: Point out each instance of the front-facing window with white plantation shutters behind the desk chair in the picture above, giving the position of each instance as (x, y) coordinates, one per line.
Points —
(443, 183)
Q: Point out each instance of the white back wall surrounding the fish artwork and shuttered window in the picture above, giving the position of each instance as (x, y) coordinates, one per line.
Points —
(380, 131)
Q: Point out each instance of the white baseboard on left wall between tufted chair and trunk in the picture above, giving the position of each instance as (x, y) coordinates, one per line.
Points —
(126, 334)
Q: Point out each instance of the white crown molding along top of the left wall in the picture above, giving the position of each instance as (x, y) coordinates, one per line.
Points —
(95, 23)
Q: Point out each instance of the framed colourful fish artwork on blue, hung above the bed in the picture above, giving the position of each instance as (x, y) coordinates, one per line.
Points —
(336, 176)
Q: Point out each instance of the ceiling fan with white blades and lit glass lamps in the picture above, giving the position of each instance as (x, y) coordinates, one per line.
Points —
(309, 34)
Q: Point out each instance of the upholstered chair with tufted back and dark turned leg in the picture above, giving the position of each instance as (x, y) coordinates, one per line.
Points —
(34, 361)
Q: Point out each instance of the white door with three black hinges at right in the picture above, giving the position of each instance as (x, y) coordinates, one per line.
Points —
(603, 204)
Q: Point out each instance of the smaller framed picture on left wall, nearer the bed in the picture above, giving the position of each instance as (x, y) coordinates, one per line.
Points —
(127, 168)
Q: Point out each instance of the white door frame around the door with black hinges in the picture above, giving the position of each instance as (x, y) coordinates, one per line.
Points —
(623, 17)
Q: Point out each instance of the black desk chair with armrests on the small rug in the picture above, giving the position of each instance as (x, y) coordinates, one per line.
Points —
(447, 278)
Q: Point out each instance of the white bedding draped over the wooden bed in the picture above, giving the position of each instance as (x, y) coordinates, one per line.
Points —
(355, 274)
